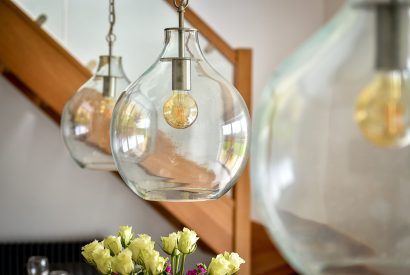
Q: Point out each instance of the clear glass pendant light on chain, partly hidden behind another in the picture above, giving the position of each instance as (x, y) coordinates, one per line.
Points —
(86, 118)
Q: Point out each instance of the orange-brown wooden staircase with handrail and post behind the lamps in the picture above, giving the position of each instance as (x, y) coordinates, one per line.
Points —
(49, 75)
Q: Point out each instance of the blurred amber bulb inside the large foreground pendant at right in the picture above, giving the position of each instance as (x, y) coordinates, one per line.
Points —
(382, 109)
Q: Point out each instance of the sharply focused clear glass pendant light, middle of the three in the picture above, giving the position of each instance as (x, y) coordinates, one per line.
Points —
(181, 131)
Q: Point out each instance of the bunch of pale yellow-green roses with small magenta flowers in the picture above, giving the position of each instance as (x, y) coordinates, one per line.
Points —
(127, 254)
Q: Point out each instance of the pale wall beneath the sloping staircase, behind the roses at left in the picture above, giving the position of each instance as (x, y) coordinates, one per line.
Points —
(44, 195)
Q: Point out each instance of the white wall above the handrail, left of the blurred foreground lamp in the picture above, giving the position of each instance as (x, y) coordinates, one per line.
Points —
(272, 28)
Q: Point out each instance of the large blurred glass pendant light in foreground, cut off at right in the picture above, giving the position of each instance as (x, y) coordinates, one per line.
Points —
(330, 163)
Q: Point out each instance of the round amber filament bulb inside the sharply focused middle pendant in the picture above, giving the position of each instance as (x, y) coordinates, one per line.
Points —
(180, 110)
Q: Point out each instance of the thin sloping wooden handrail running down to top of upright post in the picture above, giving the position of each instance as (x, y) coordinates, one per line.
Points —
(209, 34)
